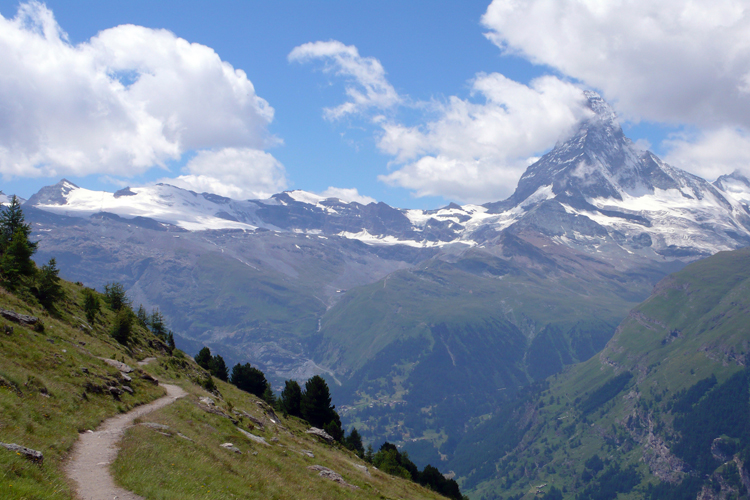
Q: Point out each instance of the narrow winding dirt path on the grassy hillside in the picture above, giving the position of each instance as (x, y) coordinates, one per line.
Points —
(94, 451)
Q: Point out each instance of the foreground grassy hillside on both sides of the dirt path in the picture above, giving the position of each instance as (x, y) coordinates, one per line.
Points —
(53, 385)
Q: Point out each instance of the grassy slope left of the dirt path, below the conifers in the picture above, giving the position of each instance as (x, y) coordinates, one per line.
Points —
(44, 400)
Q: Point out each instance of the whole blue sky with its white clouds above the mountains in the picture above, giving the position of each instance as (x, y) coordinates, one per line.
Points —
(415, 103)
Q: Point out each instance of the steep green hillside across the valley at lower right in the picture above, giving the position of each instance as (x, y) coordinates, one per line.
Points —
(662, 412)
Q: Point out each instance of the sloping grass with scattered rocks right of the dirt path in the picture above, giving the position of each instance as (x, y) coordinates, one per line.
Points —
(199, 468)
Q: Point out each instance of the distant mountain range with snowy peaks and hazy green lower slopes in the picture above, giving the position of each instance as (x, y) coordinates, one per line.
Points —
(426, 321)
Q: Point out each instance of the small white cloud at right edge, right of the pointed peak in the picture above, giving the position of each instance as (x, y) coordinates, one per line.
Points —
(711, 153)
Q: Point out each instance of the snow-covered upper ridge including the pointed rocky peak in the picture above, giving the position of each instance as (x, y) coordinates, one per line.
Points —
(595, 191)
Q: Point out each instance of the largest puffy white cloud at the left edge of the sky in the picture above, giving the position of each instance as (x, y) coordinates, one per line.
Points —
(128, 99)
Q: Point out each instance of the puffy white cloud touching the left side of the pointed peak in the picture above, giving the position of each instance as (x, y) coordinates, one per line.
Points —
(477, 151)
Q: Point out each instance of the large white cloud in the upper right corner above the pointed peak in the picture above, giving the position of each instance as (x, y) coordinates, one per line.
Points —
(668, 61)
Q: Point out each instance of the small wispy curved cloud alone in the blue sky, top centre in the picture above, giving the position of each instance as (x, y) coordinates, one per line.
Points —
(367, 86)
